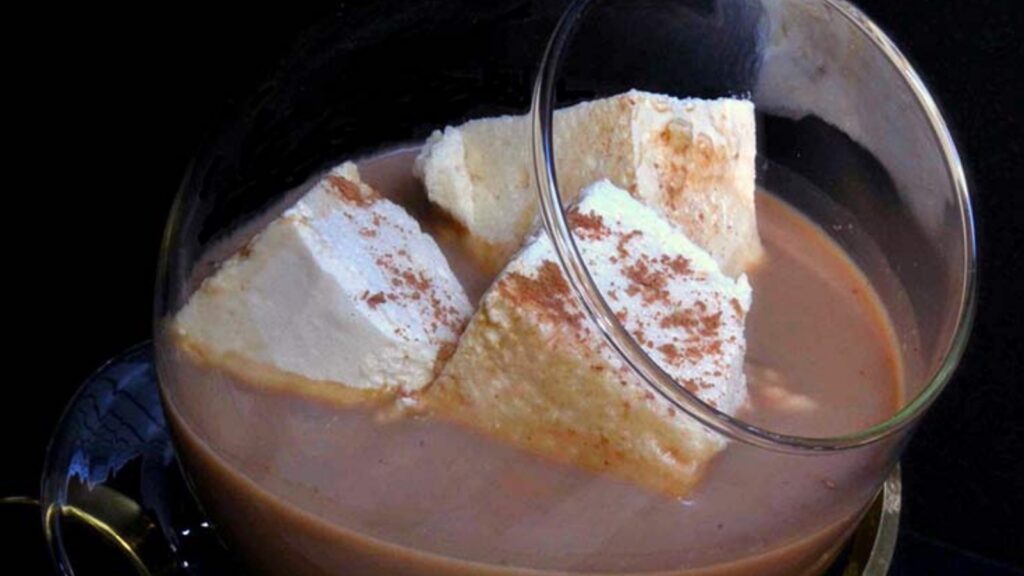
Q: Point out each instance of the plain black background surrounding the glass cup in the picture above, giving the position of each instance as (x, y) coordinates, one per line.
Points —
(109, 106)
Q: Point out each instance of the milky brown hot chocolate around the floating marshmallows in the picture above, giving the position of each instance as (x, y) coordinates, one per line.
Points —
(306, 487)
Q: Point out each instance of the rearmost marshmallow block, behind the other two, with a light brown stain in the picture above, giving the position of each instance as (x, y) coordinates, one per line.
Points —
(693, 160)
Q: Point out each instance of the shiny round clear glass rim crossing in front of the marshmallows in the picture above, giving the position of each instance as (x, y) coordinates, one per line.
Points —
(553, 218)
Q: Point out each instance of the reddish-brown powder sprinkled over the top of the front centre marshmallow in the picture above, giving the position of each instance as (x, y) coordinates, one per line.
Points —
(685, 330)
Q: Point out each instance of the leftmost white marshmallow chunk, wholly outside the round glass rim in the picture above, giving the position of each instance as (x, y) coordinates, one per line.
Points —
(344, 287)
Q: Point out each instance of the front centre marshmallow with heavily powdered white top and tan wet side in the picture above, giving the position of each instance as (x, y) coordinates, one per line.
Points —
(532, 371)
